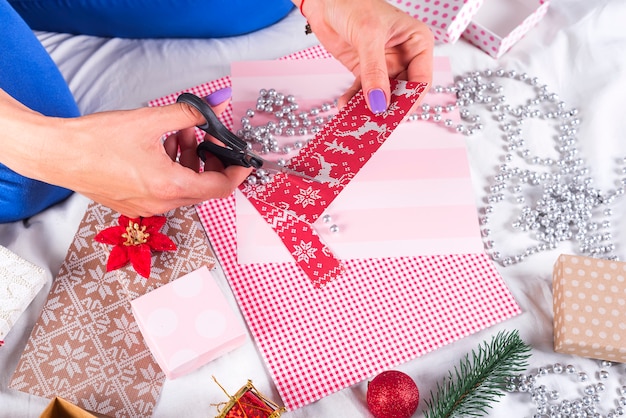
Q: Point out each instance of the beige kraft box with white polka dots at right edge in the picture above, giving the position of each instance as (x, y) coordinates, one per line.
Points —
(589, 298)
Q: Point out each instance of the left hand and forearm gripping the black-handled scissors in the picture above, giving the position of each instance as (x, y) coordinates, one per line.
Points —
(117, 158)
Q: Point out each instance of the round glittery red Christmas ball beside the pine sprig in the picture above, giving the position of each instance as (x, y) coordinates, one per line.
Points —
(392, 394)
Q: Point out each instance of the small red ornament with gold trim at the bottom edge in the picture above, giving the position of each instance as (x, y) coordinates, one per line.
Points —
(248, 403)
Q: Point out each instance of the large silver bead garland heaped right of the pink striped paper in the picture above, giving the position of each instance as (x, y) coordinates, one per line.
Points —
(554, 197)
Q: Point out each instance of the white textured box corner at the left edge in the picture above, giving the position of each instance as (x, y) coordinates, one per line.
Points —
(20, 282)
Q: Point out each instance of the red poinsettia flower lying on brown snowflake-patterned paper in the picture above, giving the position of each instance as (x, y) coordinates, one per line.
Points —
(133, 240)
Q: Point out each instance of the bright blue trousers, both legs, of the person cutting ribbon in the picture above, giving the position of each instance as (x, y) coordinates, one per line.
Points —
(29, 75)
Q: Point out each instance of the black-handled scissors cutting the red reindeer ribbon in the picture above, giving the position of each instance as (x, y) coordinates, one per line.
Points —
(235, 150)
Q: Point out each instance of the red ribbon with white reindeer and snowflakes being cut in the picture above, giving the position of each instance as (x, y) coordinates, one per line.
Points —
(334, 156)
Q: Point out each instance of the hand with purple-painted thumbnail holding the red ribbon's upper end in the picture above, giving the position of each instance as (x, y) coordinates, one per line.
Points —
(375, 41)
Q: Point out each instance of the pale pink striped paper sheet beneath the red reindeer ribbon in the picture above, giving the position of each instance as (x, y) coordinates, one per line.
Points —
(413, 197)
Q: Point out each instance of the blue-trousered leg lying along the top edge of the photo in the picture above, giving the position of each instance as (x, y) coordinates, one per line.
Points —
(152, 19)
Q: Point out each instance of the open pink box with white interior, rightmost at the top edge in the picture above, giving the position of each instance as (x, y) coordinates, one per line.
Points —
(499, 24)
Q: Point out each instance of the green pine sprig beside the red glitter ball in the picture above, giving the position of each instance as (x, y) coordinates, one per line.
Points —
(479, 381)
